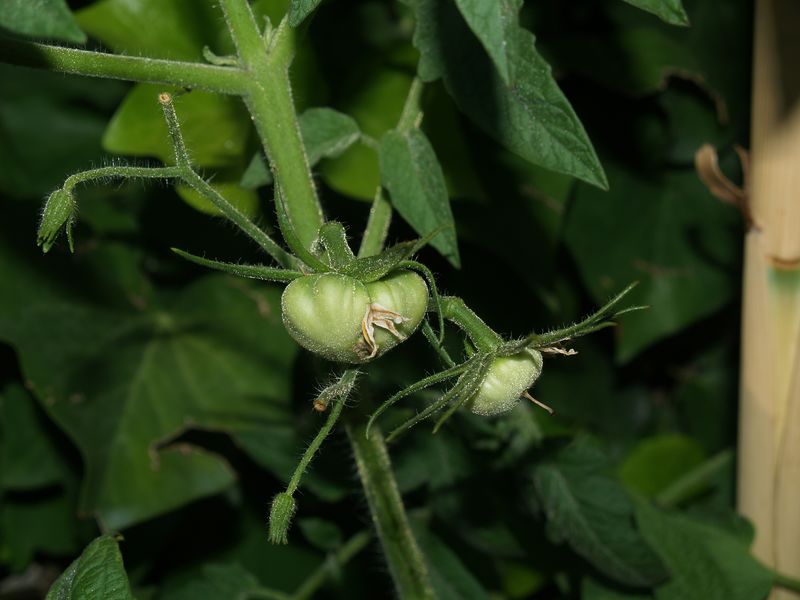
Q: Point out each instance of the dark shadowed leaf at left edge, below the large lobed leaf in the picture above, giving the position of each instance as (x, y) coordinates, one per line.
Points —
(29, 458)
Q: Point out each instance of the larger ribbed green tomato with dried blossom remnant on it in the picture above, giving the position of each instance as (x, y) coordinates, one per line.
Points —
(344, 320)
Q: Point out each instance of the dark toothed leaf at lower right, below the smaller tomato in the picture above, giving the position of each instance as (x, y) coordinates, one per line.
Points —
(591, 512)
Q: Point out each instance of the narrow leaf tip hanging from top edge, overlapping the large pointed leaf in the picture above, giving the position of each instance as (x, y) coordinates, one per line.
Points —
(492, 22)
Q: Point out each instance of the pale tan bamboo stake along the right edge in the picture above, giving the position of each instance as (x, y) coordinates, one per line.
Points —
(769, 436)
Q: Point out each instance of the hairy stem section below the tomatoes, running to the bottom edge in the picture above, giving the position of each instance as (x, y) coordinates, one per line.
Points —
(403, 555)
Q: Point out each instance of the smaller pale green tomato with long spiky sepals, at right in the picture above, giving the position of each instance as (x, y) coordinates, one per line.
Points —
(507, 379)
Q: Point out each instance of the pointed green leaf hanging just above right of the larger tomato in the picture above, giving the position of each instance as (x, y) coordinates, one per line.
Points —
(413, 177)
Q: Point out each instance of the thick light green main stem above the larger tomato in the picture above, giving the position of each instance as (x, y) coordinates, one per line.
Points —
(269, 100)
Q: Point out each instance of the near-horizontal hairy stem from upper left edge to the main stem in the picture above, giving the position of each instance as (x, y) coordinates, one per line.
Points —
(223, 80)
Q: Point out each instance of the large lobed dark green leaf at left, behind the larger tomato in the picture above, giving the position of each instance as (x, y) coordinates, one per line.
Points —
(125, 381)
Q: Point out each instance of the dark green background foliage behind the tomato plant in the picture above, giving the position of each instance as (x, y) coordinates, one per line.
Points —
(121, 356)
